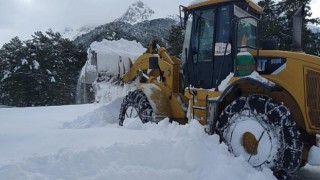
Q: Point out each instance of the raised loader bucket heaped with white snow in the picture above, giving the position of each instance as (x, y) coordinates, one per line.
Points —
(110, 60)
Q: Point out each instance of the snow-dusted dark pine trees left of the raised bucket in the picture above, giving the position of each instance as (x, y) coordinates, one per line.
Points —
(40, 71)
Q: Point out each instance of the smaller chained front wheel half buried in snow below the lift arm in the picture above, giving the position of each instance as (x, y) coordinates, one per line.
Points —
(136, 104)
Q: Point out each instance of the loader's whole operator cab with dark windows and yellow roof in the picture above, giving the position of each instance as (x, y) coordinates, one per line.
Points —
(210, 44)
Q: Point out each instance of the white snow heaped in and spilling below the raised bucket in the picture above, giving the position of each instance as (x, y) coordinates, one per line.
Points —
(113, 57)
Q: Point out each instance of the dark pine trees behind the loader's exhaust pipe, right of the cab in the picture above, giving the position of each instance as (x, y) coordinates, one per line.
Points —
(278, 23)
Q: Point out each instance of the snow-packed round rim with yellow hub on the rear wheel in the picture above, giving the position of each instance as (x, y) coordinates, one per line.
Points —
(238, 132)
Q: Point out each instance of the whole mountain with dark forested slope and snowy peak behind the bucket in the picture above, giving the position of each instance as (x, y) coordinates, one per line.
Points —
(134, 24)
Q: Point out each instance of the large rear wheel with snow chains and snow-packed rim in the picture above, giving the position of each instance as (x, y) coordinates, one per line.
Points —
(279, 146)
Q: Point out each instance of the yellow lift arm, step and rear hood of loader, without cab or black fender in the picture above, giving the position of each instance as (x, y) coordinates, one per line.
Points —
(299, 82)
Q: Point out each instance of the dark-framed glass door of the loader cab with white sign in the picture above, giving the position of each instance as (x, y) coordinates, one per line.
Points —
(207, 63)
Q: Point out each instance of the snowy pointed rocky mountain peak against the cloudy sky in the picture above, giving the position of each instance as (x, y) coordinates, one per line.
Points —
(137, 12)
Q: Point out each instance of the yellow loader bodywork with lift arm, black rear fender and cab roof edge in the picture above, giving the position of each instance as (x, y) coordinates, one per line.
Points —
(296, 85)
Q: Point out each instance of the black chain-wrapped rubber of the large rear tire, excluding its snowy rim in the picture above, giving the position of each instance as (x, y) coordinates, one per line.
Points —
(288, 131)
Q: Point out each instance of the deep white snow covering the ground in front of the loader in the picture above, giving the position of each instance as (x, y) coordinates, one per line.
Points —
(85, 142)
